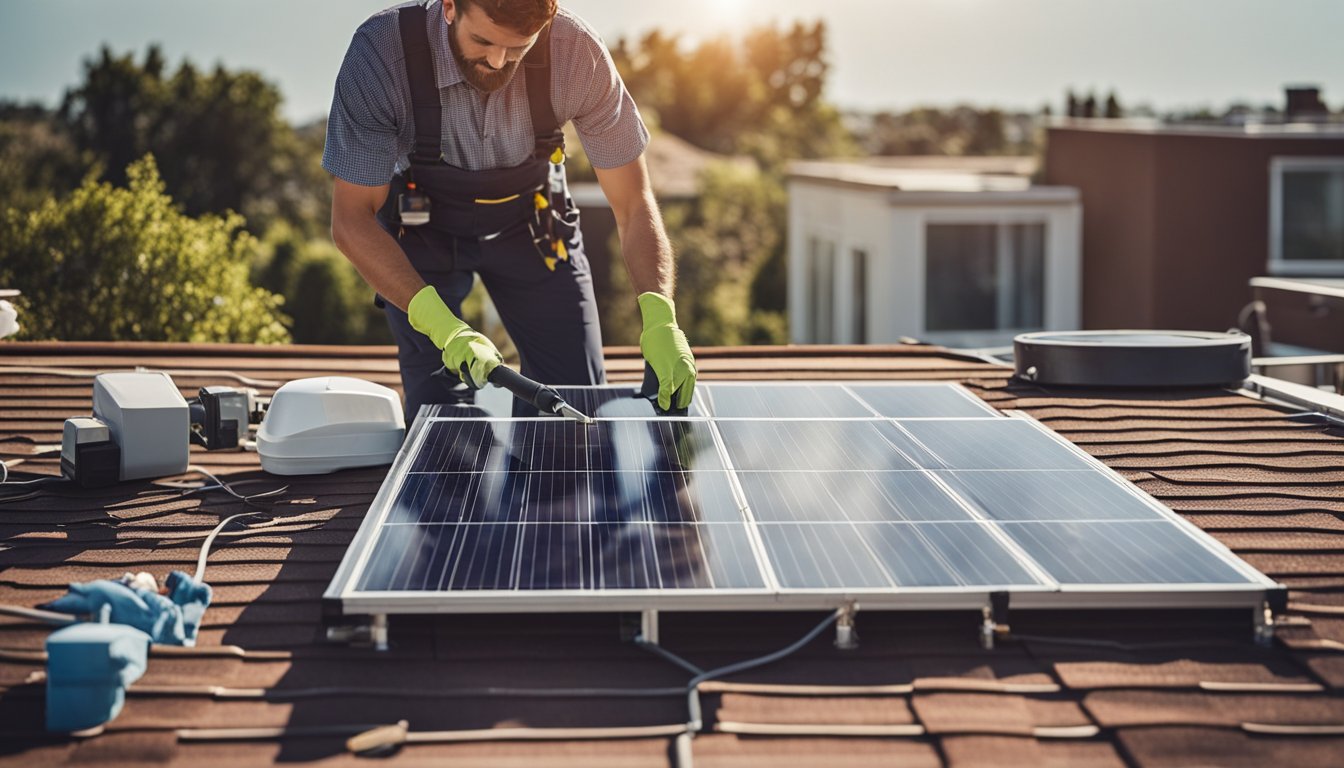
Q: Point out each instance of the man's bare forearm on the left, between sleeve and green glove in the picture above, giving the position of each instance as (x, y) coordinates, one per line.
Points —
(373, 252)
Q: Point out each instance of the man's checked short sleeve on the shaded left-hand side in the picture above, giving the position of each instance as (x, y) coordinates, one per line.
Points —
(362, 130)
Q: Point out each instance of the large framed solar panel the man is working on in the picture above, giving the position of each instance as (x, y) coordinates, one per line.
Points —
(768, 497)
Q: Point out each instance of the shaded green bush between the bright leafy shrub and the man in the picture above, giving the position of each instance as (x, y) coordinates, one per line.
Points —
(326, 297)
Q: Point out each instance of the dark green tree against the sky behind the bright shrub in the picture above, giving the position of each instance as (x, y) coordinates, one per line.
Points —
(218, 137)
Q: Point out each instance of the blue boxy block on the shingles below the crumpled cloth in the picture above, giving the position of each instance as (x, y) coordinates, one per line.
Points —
(89, 668)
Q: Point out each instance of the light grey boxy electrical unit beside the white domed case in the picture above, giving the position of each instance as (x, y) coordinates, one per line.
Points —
(149, 419)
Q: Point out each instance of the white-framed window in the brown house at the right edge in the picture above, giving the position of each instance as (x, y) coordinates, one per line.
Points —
(1307, 216)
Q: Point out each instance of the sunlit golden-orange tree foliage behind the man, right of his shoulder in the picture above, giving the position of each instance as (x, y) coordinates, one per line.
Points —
(760, 96)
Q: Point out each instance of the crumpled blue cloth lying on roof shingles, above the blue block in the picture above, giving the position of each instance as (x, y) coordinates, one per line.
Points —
(171, 621)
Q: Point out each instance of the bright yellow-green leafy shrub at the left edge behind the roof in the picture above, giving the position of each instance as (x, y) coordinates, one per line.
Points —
(126, 264)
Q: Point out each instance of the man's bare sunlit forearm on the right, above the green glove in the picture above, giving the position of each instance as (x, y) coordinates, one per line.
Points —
(644, 244)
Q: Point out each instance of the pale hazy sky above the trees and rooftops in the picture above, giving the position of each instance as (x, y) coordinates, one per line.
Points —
(886, 54)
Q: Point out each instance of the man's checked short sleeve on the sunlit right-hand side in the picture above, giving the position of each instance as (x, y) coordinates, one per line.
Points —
(603, 111)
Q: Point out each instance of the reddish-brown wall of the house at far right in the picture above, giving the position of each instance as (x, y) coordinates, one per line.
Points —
(1175, 225)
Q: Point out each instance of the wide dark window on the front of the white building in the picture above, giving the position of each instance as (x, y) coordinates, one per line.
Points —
(984, 278)
